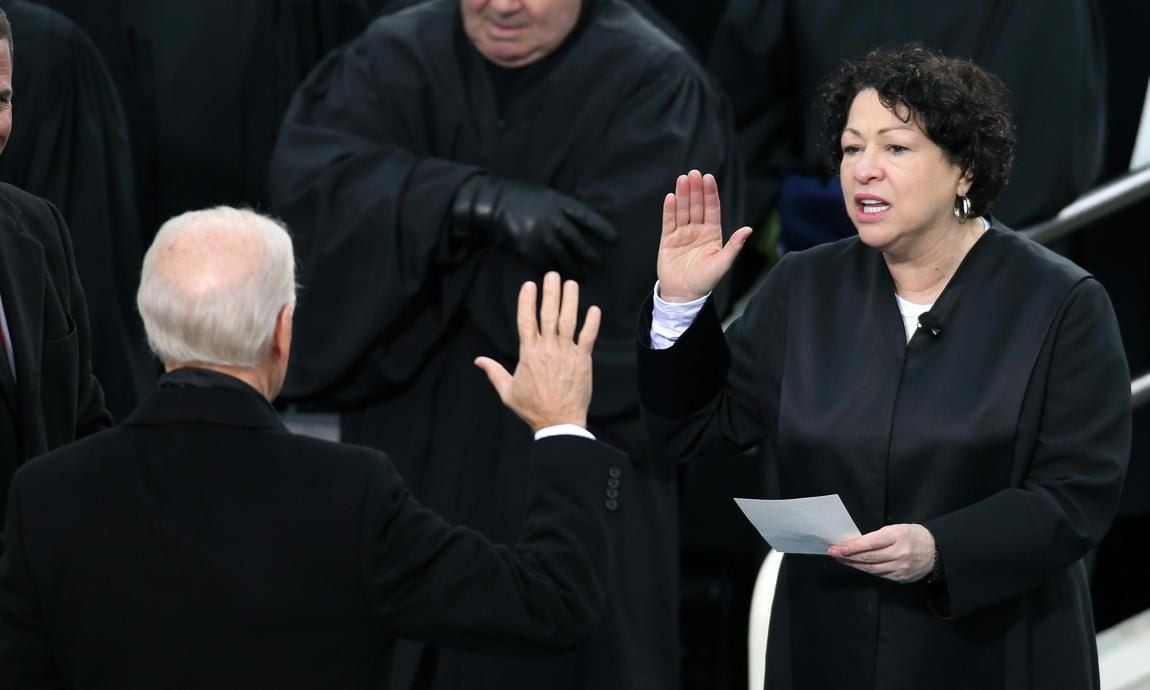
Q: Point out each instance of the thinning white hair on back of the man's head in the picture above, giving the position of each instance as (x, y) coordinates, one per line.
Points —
(213, 286)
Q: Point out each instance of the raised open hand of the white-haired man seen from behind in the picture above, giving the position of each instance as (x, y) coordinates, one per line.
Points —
(553, 380)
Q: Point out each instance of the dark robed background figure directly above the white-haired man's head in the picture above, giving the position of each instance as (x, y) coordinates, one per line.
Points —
(205, 86)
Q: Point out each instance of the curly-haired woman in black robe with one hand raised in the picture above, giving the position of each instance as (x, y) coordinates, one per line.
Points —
(962, 388)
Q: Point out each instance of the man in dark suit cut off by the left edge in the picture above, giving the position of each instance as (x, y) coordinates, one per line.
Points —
(49, 396)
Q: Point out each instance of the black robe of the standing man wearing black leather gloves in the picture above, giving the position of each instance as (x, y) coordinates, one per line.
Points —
(369, 160)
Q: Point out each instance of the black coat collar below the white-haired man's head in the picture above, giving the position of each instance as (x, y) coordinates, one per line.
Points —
(213, 400)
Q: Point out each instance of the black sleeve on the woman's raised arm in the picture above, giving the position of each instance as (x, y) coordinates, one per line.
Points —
(714, 394)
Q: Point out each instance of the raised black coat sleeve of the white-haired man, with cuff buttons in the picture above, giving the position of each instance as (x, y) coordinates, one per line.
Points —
(431, 581)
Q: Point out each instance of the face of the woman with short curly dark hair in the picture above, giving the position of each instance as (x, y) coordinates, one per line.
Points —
(899, 186)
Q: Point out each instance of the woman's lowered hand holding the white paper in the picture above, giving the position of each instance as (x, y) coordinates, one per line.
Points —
(898, 553)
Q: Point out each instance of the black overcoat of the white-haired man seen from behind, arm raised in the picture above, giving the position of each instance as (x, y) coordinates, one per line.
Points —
(203, 546)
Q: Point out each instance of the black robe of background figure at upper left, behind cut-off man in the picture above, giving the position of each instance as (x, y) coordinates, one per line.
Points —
(70, 145)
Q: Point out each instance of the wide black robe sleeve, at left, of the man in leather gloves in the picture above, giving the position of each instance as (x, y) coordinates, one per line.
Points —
(370, 214)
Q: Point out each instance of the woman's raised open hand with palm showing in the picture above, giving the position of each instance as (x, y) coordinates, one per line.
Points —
(692, 255)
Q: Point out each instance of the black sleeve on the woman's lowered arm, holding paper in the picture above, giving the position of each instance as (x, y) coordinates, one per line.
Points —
(1070, 488)
